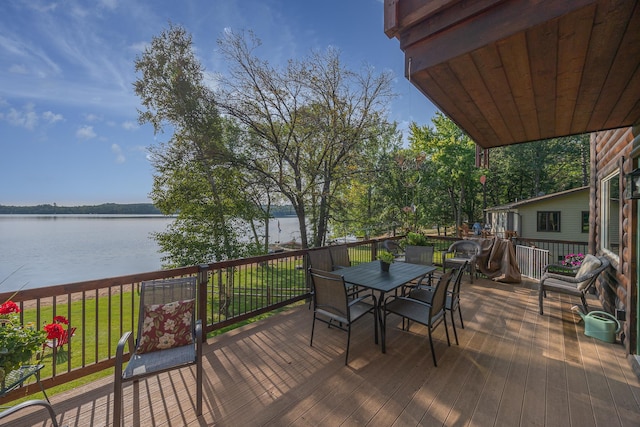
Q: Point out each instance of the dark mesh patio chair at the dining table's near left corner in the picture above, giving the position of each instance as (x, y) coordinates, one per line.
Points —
(331, 305)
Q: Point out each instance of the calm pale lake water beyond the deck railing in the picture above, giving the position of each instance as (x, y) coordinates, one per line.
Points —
(45, 250)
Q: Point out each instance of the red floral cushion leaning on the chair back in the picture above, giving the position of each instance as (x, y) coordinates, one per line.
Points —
(166, 326)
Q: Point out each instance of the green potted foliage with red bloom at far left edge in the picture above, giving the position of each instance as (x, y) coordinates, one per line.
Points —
(17, 344)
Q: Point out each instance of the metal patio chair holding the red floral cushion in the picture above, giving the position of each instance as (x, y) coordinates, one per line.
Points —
(170, 304)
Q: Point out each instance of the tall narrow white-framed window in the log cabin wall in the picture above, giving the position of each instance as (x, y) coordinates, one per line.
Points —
(610, 213)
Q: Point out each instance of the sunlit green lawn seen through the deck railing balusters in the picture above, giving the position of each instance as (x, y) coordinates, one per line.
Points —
(98, 319)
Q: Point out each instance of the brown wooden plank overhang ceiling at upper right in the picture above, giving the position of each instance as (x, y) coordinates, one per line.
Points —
(512, 71)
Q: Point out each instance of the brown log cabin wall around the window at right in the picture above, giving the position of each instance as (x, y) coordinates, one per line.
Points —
(610, 151)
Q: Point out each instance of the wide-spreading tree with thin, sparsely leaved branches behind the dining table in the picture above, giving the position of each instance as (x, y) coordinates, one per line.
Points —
(306, 123)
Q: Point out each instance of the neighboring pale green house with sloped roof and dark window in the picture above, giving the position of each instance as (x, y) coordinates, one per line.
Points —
(557, 216)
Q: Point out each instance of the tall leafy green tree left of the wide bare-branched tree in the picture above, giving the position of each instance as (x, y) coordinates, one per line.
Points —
(192, 170)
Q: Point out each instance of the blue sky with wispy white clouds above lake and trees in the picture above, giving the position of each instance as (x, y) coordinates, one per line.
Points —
(68, 118)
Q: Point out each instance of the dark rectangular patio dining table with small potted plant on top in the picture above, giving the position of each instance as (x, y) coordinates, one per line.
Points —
(370, 276)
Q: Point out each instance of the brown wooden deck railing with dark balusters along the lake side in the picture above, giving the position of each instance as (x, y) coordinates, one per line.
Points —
(102, 310)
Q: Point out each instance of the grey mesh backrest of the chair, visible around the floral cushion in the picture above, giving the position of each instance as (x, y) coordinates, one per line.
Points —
(164, 291)
